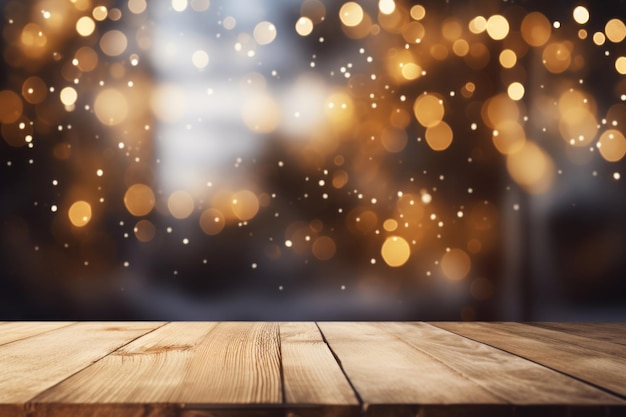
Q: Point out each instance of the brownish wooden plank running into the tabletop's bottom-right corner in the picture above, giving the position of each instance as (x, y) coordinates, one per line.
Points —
(516, 380)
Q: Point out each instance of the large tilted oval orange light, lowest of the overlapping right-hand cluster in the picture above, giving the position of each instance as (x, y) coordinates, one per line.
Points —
(531, 168)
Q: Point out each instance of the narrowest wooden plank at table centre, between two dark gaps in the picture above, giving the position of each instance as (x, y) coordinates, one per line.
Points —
(311, 375)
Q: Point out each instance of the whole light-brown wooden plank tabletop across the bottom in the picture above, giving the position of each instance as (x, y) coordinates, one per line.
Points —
(228, 369)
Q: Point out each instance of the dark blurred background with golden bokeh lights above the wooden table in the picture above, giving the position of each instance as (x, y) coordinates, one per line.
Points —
(312, 160)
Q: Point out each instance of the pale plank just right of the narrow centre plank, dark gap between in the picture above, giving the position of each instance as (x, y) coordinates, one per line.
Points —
(394, 378)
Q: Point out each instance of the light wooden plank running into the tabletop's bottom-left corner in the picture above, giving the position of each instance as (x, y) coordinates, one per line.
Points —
(32, 365)
